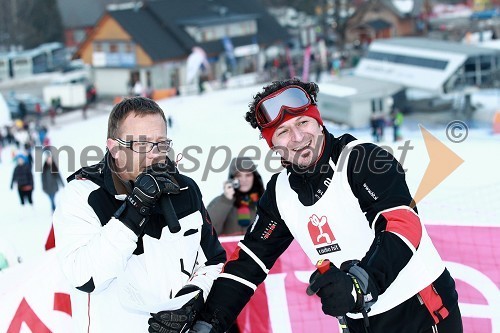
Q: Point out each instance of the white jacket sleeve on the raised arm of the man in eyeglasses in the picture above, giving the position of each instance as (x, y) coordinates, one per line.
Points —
(87, 250)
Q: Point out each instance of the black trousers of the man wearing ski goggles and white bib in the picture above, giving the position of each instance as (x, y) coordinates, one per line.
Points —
(408, 317)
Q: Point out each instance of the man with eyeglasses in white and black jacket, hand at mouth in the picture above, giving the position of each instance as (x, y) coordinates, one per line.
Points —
(126, 265)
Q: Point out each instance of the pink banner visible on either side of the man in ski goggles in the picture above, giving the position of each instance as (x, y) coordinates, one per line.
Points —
(471, 255)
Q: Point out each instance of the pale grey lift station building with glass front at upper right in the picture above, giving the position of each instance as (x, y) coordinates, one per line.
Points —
(393, 67)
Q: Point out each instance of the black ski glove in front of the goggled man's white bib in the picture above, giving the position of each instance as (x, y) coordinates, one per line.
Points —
(342, 292)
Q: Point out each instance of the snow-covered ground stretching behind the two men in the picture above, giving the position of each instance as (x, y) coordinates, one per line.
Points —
(210, 129)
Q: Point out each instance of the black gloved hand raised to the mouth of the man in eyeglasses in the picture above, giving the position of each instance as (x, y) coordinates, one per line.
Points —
(148, 188)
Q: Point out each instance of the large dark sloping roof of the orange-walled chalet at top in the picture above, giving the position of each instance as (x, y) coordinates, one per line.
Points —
(158, 26)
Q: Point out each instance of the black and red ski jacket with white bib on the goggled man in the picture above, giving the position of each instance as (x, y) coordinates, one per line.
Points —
(361, 190)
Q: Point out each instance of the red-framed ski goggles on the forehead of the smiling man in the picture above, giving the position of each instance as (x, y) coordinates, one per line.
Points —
(269, 110)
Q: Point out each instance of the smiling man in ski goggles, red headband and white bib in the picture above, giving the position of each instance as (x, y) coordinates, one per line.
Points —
(347, 204)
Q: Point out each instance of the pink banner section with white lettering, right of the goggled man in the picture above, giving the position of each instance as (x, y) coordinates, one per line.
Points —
(472, 256)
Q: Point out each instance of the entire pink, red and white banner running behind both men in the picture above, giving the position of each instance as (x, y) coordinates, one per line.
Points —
(34, 296)
